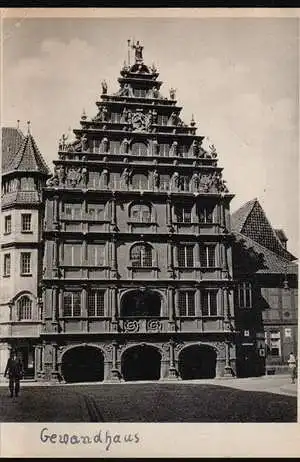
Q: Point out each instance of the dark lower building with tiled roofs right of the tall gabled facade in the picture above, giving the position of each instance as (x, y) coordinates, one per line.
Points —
(266, 300)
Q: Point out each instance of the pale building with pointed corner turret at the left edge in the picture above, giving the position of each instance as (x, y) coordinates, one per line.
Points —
(24, 173)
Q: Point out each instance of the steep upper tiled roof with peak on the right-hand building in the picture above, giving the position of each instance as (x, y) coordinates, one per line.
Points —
(251, 221)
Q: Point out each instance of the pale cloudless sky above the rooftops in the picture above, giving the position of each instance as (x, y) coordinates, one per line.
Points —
(238, 77)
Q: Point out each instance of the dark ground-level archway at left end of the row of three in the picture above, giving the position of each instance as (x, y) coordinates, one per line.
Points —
(83, 364)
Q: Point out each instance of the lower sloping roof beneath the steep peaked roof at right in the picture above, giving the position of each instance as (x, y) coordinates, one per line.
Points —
(270, 262)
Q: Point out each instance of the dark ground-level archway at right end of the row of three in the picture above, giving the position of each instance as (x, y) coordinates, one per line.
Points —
(197, 362)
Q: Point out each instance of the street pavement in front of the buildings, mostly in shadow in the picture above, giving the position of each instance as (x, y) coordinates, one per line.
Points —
(230, 400)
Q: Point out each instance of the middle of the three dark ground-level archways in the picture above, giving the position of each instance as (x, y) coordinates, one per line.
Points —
(141, 362)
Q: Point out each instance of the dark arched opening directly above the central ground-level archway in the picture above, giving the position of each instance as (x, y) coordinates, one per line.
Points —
(139, 303)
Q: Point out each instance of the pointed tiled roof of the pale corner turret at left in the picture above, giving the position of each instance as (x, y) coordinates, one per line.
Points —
(26, 158)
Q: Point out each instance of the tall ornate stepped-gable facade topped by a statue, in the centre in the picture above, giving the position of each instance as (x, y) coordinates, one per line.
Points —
(137, 275)
